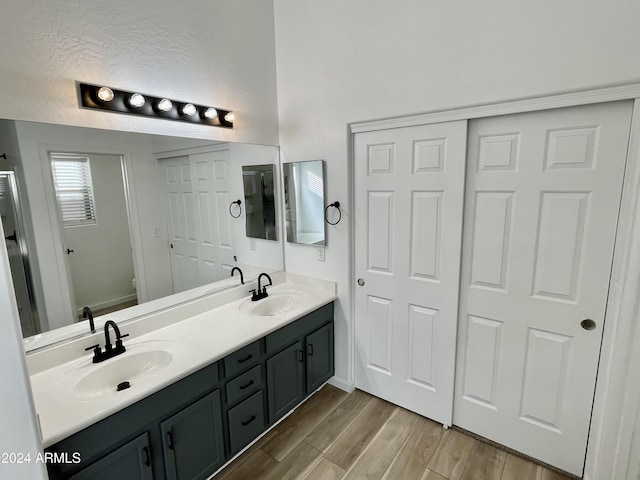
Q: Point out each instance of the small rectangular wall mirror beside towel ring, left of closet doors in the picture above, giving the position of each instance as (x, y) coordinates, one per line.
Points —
(304, 202)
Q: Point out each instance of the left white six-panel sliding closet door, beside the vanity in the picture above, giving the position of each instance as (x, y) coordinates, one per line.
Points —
(409, 186)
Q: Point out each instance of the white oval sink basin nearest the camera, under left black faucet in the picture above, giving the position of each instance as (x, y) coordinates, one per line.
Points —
(141, 364)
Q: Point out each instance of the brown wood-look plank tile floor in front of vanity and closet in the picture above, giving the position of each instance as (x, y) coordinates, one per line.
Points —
(336, 435)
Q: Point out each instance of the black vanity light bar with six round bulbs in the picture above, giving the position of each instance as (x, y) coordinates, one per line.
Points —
(134, 103)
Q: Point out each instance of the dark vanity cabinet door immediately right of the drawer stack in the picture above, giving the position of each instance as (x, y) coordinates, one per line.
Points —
(285, 380)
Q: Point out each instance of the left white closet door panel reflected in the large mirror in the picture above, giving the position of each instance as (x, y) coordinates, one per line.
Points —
(182, 222)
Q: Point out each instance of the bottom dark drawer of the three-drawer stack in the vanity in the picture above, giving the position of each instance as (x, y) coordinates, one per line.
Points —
(246, 422)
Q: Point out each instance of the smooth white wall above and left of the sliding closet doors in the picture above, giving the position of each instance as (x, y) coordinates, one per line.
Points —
(340, 62)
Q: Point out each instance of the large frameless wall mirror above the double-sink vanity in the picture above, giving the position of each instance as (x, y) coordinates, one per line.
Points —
(122, 223)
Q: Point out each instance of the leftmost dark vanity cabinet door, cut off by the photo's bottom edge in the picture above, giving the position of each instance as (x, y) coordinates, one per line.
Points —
(130, 461)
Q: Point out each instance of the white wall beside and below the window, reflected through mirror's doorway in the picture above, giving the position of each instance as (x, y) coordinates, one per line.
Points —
(102, 263)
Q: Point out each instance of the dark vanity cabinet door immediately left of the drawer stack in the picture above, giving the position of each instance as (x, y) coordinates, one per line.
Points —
(192, 440)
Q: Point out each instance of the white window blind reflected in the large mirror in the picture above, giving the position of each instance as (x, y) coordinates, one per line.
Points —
(72, 180)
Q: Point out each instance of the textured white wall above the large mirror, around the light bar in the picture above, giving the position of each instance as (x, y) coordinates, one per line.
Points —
(211, 52)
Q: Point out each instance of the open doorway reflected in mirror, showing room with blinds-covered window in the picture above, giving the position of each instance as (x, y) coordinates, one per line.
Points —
(94, 218)
